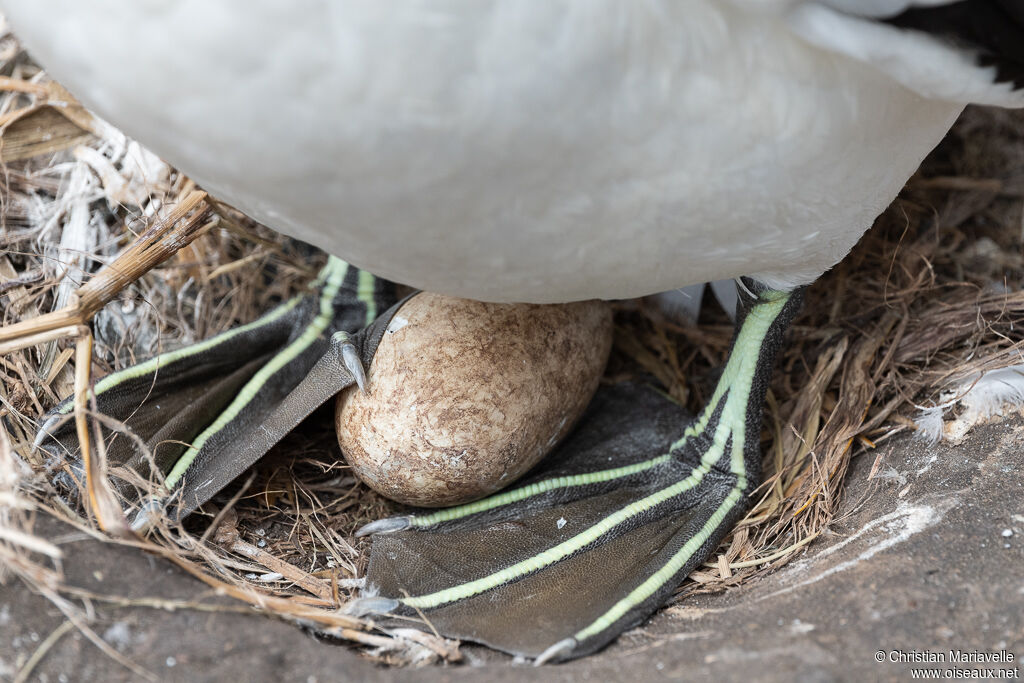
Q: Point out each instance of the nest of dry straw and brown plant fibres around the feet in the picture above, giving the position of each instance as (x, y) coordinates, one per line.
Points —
(933, 293)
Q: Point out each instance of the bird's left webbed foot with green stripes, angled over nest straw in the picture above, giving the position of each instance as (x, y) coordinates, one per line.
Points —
(201, 415)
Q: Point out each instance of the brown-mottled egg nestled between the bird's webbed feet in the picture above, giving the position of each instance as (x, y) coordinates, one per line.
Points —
(464, 397)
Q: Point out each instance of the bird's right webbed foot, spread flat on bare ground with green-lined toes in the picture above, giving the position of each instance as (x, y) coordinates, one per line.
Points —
(604, 534)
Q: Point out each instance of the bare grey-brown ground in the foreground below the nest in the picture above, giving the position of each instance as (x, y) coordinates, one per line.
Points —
(927, 559)
